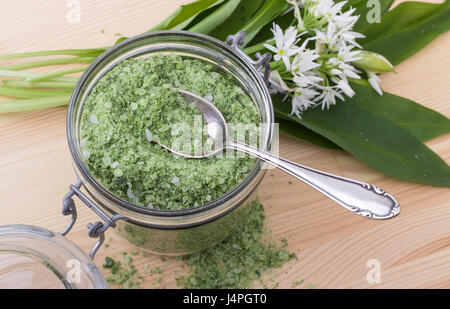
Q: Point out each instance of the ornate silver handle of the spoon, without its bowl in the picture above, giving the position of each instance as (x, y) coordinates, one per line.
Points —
(359, 197)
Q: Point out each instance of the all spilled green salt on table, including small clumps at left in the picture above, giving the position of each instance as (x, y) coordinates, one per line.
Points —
(236, 262)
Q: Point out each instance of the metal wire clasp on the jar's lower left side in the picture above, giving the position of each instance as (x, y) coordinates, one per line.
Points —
(96, 230)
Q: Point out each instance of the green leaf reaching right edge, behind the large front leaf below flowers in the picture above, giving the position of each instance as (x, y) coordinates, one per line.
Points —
(421, 122)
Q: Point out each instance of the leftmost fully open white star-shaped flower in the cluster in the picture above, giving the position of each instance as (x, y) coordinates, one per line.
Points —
(284, 44)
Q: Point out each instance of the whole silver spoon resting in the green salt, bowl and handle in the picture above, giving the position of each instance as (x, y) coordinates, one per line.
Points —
(359, 197)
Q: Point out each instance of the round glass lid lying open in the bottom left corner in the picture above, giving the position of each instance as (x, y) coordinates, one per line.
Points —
(35, 258)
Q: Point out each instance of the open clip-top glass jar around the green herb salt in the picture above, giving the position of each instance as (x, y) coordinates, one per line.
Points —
(173, 232)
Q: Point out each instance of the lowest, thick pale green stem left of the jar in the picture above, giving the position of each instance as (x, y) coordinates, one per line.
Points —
(33, 104)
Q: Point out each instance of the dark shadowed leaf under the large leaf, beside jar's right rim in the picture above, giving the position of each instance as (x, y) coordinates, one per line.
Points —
(298, 131)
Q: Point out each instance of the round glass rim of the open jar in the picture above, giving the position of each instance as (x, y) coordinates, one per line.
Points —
(82, 167)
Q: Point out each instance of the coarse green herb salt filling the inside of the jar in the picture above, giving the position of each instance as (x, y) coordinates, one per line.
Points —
(133, 104)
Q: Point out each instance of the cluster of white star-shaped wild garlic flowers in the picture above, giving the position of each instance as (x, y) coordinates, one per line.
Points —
(315, 59)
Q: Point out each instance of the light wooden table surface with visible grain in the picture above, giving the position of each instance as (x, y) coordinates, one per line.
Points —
(333, 246)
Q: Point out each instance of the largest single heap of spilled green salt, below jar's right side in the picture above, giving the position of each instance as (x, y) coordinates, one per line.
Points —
(240, 259)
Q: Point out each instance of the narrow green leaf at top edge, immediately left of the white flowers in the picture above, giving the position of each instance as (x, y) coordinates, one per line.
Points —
(268, 12)
